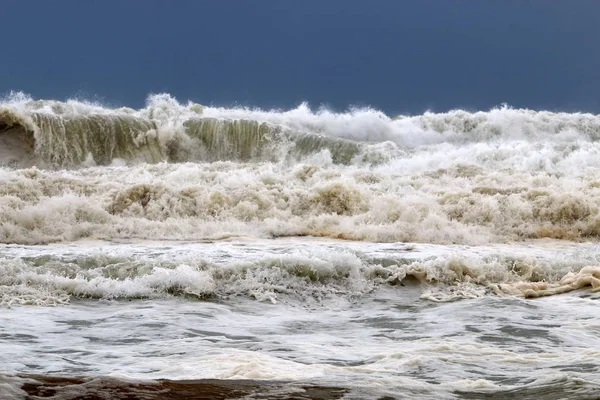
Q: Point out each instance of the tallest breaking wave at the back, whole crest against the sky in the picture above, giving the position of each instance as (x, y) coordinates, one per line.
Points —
(54, 134)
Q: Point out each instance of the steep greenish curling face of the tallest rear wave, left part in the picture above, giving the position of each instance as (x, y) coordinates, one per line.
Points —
(58, 135)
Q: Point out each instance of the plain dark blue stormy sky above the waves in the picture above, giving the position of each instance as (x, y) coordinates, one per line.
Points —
(398, 56)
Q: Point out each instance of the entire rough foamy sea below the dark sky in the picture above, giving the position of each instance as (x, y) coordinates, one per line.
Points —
(181, 251)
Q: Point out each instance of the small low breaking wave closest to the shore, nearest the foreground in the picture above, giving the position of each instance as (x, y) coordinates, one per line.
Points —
(303, 275)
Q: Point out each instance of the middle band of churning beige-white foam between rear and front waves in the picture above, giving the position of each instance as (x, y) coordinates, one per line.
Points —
(442, 201)
